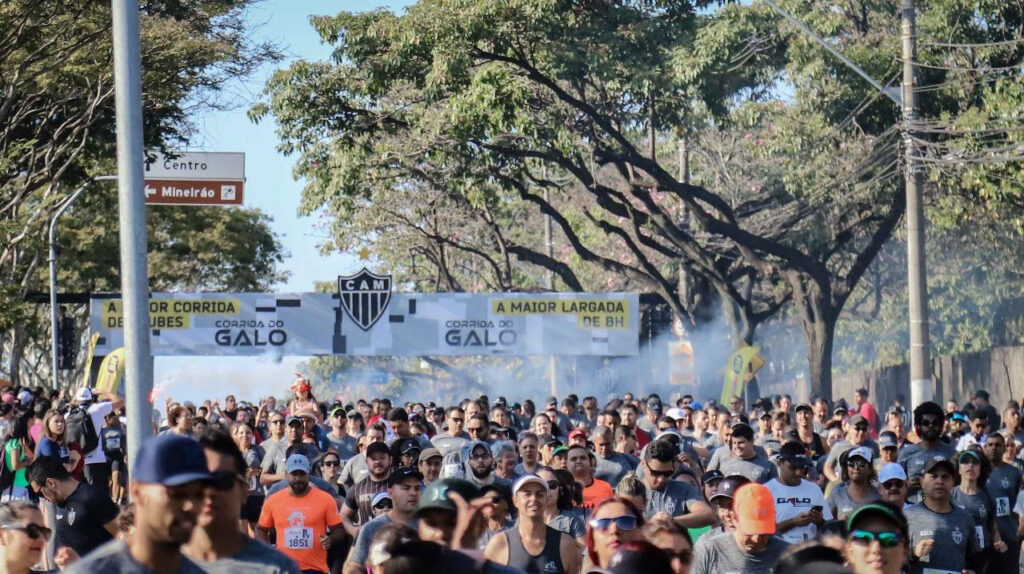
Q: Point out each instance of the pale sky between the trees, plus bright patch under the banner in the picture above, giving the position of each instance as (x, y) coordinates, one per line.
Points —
(271, 188)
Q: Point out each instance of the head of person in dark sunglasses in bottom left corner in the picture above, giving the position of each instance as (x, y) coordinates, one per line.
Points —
(23, 536)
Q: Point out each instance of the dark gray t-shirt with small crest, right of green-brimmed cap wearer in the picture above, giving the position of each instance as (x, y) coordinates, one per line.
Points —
(954, 536)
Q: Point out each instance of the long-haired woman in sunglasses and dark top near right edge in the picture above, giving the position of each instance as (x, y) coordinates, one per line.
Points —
(972, 473)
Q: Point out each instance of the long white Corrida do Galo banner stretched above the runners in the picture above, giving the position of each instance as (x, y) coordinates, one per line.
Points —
(306, 325)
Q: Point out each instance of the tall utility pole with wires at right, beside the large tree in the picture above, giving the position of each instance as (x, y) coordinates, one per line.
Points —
(921, 363)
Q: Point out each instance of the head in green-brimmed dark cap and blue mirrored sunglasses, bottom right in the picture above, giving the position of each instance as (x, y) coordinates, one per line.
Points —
(879, 541)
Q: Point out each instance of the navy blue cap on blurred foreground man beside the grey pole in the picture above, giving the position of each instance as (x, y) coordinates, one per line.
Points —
(172, 461)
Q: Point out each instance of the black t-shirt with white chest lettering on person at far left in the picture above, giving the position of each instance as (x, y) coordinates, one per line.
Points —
(81, 519)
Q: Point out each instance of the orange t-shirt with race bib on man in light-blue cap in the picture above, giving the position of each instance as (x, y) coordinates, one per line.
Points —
(301, 521)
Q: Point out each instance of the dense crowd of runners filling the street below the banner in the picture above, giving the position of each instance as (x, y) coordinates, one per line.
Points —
(635, 485)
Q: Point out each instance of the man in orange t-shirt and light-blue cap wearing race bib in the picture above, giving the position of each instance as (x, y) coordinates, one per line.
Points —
(307, 519)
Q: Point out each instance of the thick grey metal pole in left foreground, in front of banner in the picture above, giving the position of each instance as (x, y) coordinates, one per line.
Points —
(132, 212)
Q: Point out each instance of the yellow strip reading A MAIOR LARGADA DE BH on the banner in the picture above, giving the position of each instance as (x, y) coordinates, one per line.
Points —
(590, 314)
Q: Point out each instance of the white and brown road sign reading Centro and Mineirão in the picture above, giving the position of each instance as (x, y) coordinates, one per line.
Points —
(195, 179)
